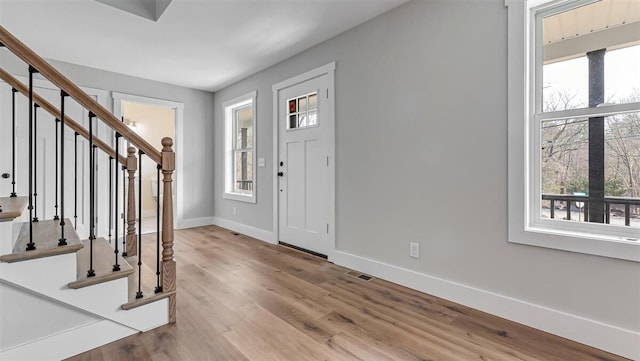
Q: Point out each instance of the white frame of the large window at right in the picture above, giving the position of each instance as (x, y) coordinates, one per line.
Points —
(524, 73)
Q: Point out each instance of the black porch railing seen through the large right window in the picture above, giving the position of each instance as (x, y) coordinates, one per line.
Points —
(567, 201)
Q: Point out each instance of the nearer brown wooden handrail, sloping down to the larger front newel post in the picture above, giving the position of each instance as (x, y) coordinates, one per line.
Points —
(54, 76)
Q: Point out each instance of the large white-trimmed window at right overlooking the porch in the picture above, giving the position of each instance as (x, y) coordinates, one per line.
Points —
(580, 136)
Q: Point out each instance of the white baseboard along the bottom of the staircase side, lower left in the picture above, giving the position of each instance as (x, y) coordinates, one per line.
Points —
(69, 343)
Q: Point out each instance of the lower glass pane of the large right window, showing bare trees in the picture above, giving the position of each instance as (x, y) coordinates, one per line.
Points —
(565, 169)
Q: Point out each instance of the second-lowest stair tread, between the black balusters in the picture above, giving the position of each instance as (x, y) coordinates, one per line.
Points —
(103, 260)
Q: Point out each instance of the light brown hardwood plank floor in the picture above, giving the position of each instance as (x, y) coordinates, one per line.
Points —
(242, 299)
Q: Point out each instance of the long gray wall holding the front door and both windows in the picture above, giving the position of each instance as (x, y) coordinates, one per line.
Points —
(421, 155)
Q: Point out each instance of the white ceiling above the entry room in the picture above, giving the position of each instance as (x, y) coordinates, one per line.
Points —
(202, 44)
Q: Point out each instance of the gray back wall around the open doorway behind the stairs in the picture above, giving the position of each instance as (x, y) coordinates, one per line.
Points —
(198, 123)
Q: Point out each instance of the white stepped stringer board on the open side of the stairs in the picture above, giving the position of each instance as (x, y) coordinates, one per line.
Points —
(50, 276)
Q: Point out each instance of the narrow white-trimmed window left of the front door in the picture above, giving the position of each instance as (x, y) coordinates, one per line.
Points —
(240, 155)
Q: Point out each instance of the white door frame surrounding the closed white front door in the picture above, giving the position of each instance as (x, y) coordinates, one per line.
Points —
(329, 70)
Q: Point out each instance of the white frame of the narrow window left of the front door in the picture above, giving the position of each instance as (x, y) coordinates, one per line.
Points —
(229, 108)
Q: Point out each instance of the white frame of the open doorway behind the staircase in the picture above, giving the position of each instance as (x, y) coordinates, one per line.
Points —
(118, 106)
